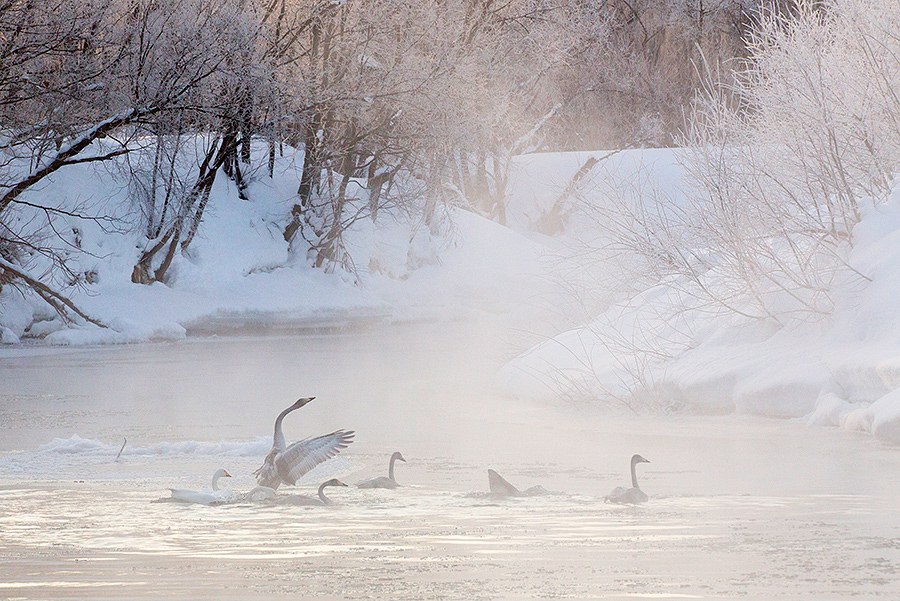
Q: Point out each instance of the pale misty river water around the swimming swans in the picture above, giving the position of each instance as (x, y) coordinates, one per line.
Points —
(740, 507)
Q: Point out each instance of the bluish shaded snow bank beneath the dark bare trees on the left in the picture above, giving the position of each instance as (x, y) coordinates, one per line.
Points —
(239, 269)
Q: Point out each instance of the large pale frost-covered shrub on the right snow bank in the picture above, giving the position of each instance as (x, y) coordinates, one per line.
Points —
(779, 178)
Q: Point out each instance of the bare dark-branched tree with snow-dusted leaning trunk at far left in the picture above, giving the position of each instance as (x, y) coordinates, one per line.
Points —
(83, 82)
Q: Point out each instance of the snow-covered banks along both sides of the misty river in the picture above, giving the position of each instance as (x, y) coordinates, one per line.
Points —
(629, 341)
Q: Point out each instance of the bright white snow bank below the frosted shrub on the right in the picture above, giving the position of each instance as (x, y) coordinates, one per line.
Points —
(662, 350)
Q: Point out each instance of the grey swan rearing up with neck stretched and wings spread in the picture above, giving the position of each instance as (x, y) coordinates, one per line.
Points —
(285, 464)
